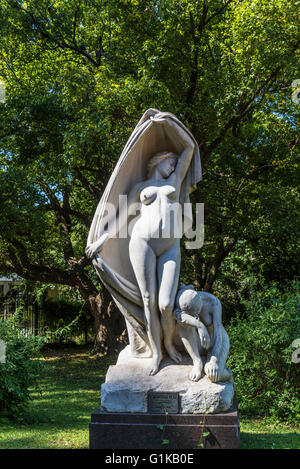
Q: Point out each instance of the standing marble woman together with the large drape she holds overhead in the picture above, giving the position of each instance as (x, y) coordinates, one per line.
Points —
(158, 168)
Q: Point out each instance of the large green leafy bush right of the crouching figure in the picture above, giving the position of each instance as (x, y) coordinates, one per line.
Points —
(267, 380)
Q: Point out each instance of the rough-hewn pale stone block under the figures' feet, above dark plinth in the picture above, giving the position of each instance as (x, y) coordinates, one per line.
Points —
(128, 382)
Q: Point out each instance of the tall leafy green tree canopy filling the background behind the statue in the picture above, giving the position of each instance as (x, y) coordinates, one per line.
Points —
(79, 75)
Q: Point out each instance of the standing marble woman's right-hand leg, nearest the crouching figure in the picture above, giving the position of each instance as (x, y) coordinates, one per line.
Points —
(168, 267)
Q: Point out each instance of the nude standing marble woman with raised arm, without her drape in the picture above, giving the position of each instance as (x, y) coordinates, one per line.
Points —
(154, 250)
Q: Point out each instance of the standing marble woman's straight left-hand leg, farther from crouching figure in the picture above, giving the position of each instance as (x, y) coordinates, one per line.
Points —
(143, 261)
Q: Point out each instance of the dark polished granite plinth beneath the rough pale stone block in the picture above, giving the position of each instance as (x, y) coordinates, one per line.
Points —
(110, 430)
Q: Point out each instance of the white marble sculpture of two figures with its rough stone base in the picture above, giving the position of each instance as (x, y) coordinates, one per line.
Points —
(177, 343)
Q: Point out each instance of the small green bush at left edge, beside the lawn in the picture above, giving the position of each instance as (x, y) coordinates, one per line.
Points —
(20, 370)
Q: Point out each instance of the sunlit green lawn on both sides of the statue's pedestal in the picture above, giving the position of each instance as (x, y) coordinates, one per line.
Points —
(70, 391)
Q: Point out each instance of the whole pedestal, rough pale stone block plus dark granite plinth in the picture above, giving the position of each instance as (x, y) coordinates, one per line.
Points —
(205, 416)
